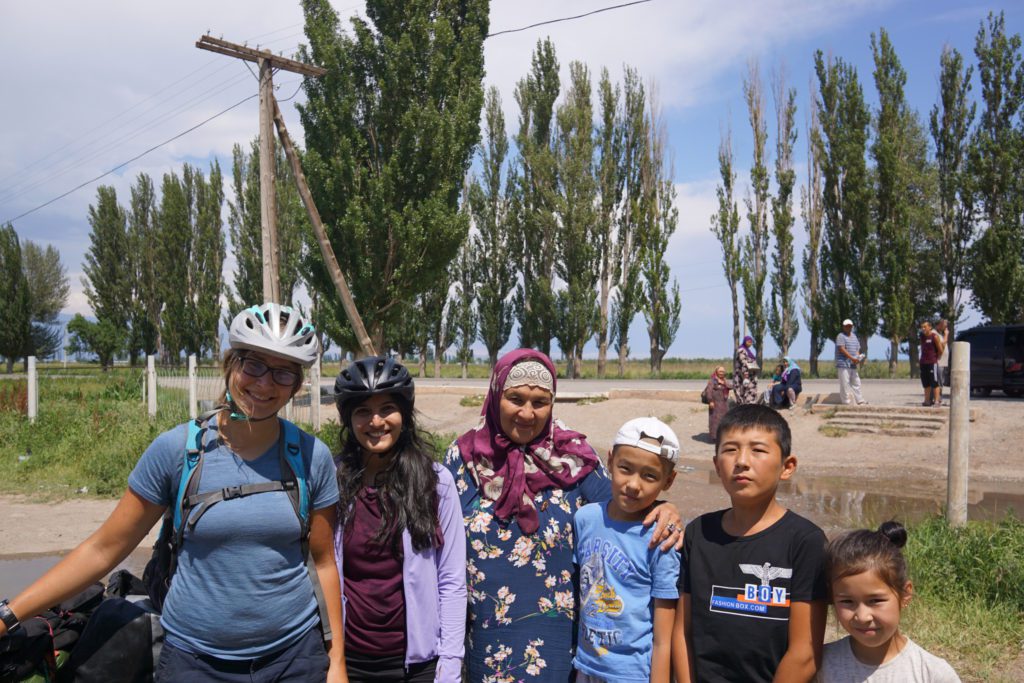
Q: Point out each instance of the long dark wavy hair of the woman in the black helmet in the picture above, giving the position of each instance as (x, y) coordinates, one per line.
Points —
(408, 489)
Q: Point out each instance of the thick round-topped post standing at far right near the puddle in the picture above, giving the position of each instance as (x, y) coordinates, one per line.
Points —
(960, 434)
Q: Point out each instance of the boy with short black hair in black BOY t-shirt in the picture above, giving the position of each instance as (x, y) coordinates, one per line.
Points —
(752, 579)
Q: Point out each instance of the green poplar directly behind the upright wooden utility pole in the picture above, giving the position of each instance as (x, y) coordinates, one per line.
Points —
(244, 230)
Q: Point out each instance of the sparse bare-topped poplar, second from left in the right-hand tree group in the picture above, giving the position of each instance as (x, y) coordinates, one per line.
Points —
(755, 246)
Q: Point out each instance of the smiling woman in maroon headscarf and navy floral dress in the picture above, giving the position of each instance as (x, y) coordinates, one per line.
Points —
(522, 476)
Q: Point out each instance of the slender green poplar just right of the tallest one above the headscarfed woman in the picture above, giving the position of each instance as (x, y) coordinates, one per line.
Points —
(576, 207)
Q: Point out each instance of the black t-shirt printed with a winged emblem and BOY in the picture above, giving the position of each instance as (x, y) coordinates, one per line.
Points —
(741, 589)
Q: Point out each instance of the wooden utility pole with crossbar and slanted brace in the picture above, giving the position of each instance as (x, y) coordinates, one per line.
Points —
(270, 112)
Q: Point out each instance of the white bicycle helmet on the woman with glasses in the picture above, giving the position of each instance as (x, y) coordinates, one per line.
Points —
(276, 330)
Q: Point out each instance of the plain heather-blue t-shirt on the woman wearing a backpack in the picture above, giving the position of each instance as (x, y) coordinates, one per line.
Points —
(241, 590)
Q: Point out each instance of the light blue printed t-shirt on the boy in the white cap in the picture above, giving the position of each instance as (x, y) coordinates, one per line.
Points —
(620, 577)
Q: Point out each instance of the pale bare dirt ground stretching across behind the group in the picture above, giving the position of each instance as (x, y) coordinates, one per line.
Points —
(867, 475)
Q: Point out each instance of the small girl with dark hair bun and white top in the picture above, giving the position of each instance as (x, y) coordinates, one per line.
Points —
(870, 589)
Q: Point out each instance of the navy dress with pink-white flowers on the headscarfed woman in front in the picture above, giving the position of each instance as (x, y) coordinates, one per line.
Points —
(523, 588)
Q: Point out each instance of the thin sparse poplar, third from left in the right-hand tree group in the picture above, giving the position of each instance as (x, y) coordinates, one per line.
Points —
(784, 323)
